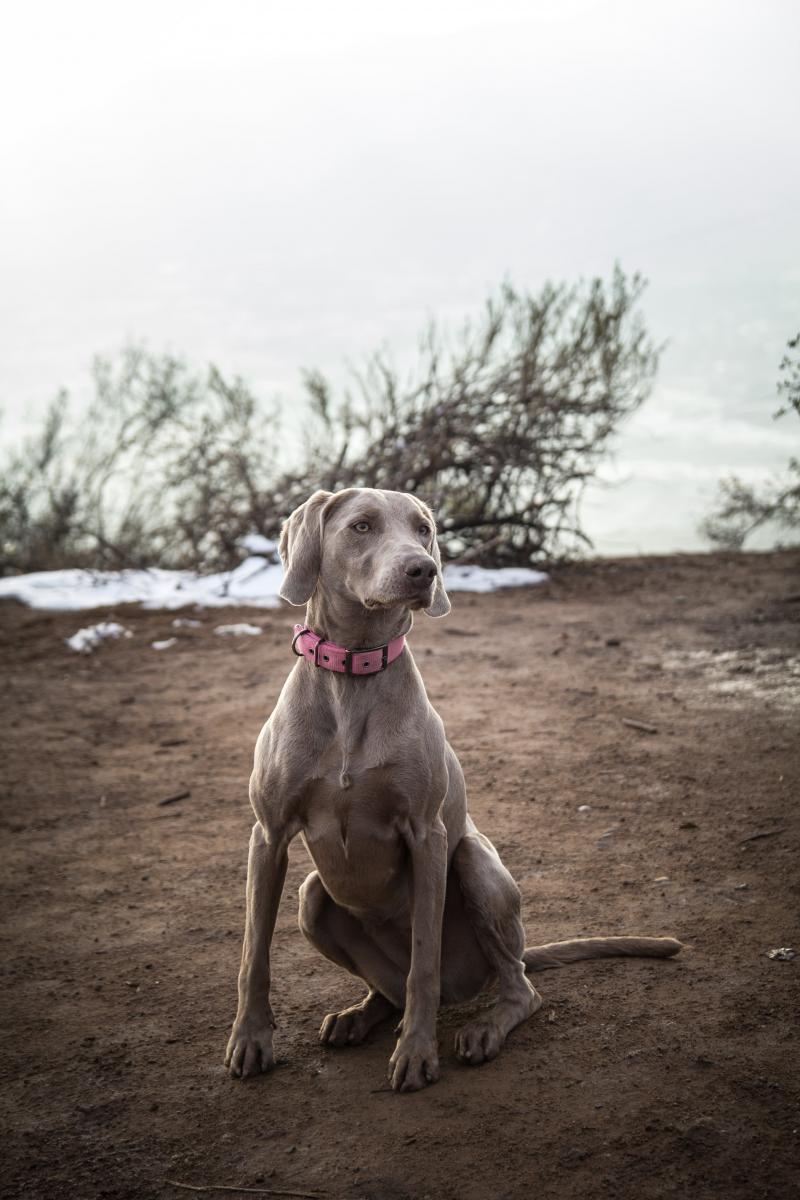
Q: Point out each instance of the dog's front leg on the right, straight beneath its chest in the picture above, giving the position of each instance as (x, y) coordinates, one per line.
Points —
(416, 1063)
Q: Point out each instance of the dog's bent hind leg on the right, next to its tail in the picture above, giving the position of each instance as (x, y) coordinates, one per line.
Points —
(491, 902)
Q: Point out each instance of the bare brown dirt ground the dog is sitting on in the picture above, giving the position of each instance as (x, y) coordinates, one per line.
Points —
(637, 1079)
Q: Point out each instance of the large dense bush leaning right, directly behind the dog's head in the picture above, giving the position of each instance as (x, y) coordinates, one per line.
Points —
(502, 430)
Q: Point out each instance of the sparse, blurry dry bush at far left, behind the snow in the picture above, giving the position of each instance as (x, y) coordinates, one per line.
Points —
(164, 469)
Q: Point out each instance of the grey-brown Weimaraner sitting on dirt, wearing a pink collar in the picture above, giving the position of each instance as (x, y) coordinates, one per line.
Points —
(407, 895)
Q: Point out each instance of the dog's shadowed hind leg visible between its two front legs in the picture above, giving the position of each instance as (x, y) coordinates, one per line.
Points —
(344, 940)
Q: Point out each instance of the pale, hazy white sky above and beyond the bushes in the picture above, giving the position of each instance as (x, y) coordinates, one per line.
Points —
(275, 187)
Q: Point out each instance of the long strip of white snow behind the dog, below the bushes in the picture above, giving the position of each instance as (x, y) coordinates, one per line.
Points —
(254, 583)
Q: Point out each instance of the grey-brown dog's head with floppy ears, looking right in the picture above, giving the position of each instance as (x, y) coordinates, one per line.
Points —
(380, 548)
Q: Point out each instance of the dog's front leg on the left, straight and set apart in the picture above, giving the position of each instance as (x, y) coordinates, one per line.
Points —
(250, 1047)
